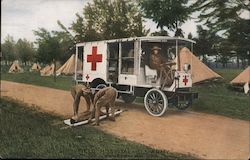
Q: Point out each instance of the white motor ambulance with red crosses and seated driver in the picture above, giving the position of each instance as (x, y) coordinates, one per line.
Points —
(145, 67)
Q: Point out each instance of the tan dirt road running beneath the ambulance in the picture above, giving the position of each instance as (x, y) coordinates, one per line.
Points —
(203, 135)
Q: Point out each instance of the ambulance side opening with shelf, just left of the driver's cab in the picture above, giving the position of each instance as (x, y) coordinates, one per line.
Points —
(127, 57)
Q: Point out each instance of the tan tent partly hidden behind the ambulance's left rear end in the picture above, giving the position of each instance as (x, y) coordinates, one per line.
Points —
(69, 67)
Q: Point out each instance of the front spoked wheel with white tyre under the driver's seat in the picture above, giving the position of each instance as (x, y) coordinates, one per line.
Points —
(155, 102)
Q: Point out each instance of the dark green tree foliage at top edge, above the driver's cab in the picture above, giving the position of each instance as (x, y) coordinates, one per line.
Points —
(167, 13)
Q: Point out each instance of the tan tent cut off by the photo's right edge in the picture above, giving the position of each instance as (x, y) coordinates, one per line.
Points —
(243, 77)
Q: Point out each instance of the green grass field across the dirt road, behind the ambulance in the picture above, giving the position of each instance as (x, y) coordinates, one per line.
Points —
(214, 98)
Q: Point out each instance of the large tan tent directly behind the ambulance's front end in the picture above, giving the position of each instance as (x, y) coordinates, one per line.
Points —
(200, 72)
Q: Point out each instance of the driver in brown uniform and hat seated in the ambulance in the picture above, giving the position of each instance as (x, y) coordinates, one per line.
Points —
(162, 66)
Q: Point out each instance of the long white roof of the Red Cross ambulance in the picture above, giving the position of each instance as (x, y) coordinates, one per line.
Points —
(147, 38)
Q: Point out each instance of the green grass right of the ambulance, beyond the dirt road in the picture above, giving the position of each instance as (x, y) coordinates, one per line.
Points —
(217, 98)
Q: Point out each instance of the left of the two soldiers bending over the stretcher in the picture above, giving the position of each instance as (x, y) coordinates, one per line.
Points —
(77, 92)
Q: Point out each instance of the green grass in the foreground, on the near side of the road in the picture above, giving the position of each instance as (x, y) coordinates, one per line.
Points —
(27, 133)
